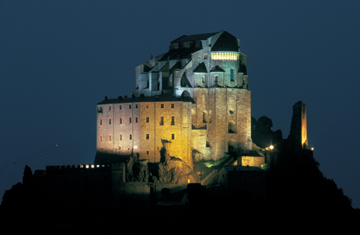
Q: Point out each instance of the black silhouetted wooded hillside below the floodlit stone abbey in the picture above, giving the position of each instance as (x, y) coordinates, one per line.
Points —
(299, 198)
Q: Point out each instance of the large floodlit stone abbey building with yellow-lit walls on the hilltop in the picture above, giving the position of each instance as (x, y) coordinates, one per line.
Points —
(192, 102)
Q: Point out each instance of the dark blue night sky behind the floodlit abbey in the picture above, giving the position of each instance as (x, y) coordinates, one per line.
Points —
(59, 58)
